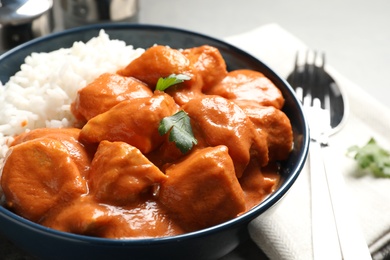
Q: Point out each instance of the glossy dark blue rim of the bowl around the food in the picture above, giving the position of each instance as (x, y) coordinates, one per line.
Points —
(246, 217)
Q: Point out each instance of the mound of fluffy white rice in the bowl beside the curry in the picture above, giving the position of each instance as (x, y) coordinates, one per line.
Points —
(40, 94)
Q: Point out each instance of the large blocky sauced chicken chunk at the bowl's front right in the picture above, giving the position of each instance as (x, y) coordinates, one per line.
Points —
(202, 189)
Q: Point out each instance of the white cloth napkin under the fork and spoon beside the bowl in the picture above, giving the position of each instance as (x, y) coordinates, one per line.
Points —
(286, 233)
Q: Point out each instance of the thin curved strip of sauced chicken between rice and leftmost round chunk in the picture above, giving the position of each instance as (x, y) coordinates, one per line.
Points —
(69, 138)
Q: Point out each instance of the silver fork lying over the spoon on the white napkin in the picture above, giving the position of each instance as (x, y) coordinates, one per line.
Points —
(307, 82)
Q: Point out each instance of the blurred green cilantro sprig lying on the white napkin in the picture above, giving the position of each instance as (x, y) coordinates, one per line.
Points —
(372, 157)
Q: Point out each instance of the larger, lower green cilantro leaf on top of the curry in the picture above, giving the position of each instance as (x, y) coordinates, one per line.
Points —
(180, 131)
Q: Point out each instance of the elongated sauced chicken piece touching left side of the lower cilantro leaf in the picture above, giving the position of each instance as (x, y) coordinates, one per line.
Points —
(132, 121)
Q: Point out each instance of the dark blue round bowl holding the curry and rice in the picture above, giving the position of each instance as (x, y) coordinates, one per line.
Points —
(210, 243)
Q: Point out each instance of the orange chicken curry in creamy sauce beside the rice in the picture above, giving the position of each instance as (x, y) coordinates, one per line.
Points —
(113, 175)
